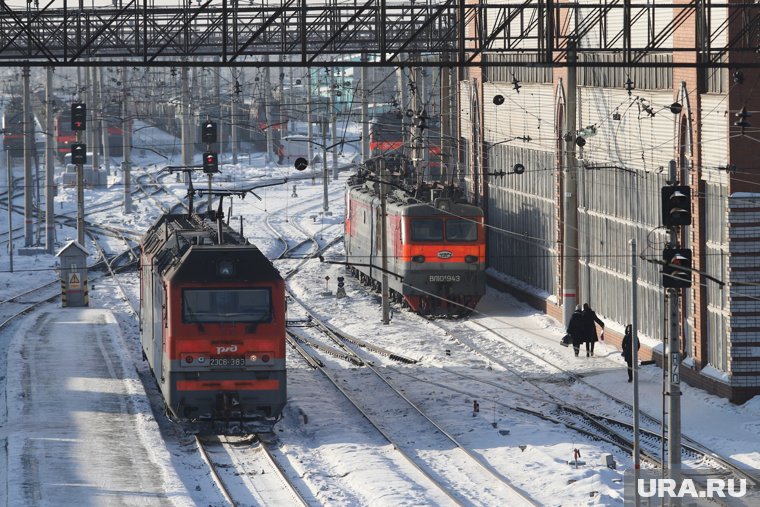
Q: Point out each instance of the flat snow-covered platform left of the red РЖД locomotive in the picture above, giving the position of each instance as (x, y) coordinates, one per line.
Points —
(78, 423)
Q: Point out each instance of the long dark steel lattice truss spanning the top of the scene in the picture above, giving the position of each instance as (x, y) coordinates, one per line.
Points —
(530, 33)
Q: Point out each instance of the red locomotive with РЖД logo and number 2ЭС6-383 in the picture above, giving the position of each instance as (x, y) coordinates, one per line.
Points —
(212, 321)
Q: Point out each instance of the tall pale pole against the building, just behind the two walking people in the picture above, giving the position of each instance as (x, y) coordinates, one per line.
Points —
(570, 190)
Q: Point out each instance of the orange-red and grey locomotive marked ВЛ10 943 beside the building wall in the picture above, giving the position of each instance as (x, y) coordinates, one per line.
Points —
(435, 239)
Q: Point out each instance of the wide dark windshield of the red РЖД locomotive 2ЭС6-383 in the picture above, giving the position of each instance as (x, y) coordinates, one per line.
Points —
(226, 305)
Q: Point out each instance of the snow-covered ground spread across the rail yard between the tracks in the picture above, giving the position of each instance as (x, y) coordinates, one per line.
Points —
(76, 398)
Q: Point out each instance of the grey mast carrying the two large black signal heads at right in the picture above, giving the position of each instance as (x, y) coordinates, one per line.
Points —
(674, 361)
